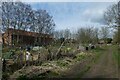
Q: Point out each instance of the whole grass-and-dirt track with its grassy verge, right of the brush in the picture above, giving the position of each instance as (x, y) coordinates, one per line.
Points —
(103, 65)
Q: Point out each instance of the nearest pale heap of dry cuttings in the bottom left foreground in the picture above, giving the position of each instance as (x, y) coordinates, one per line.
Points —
(30, 71)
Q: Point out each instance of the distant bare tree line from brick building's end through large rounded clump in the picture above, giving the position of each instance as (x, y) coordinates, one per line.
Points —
(83, 35)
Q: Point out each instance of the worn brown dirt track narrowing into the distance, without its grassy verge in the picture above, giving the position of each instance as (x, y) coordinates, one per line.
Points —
(105, 67)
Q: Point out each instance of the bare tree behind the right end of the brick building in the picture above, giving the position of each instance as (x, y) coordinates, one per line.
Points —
(43, 21)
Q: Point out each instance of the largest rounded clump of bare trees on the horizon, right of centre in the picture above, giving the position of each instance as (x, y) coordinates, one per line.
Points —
(87, 35)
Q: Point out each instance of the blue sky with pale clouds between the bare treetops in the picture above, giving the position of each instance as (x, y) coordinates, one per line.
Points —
(73, 15)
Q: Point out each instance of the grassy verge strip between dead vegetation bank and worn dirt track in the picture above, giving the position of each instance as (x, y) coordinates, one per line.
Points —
(80, 68)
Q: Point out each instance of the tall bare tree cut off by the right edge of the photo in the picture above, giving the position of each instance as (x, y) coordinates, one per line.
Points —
(112, 18)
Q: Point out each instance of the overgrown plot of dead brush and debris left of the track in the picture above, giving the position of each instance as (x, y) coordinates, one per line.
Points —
(50, 61)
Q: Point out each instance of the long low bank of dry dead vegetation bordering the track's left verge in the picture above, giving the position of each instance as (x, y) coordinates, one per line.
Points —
(55, 66)
